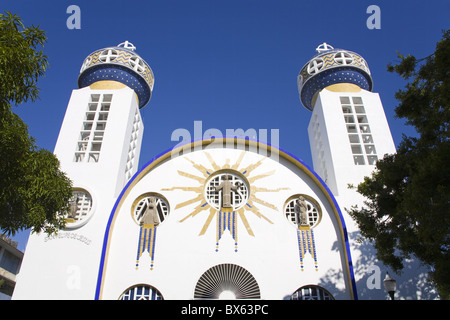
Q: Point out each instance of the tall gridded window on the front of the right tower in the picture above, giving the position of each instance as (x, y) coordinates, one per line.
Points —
(358, 129)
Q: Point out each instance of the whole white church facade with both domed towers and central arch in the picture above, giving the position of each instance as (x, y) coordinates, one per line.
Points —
(219, 218)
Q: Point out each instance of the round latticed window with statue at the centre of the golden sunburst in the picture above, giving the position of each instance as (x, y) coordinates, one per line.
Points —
(226, 190)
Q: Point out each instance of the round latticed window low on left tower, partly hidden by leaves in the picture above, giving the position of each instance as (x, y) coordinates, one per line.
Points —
(80, 208)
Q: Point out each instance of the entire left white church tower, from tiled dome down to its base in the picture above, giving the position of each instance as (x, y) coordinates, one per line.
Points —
(98, 147)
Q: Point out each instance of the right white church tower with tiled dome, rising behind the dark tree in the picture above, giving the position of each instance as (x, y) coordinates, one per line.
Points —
(348, 130)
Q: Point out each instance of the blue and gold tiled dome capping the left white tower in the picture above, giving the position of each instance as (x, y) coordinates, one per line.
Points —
(120, 65)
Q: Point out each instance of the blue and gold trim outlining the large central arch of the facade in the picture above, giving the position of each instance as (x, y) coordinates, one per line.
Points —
(168, 151)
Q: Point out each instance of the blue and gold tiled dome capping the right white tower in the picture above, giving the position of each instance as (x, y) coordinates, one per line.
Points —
(331, 67)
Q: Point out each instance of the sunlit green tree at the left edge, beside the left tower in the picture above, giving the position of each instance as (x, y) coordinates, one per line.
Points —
(32, 187)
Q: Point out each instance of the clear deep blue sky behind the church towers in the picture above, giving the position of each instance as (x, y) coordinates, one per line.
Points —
(230, 64)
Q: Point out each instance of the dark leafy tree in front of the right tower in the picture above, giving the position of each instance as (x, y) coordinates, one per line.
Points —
(407, 208)
